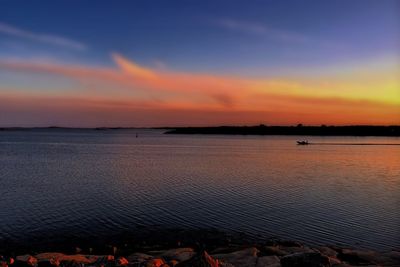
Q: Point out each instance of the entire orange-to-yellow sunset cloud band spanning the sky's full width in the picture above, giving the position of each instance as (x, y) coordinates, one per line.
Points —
(201, 97)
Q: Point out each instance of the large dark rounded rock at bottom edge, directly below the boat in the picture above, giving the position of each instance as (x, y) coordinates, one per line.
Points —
(307, 259)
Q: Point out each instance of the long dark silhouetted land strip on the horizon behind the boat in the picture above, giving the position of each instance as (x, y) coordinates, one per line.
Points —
(357, 130)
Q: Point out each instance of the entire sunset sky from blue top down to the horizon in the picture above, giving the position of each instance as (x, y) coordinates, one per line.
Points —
(199, 63)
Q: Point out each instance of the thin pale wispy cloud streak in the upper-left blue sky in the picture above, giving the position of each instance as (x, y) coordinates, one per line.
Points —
(41, 37)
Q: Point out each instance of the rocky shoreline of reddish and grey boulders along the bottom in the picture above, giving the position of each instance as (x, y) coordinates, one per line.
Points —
(271, 253)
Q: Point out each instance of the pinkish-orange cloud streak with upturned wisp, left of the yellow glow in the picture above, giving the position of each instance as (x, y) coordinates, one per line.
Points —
(222, 91)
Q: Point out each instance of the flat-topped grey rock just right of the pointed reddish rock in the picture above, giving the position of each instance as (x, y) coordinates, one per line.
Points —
(245, 258)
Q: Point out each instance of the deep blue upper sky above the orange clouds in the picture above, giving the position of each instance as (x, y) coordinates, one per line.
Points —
(219, 36)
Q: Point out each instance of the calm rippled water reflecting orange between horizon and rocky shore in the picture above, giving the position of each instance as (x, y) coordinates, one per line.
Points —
(90, 182)
